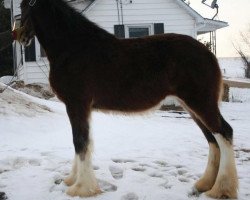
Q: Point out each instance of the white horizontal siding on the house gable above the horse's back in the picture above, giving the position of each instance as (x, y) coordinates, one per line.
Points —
(176, 20)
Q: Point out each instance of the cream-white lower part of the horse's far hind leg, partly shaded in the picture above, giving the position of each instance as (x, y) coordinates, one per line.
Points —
(207, 181)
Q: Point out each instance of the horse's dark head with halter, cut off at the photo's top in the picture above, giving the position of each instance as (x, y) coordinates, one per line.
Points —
(27, 31)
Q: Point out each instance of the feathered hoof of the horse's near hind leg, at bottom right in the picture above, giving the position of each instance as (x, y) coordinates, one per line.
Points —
(223, 194)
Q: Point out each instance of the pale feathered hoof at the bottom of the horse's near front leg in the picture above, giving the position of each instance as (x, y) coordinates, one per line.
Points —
(81, 191)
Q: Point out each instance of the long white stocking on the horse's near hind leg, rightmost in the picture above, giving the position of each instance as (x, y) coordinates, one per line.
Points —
(226, 184)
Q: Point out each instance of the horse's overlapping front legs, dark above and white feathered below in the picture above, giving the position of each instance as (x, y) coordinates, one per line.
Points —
(82, 180)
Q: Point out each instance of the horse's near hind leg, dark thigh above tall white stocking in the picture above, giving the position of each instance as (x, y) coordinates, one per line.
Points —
(226, 183)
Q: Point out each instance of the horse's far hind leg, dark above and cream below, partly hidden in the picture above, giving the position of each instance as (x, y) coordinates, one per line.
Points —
(207, 181)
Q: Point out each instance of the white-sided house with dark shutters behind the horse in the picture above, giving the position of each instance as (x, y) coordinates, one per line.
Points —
(124, 18)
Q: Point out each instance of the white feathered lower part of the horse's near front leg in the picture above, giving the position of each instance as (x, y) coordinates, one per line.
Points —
(86, 184)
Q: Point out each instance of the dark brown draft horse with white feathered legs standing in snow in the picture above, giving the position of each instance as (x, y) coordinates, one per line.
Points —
(92, 69)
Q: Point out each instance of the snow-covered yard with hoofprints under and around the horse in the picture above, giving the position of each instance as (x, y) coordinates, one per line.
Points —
(157, 156)
